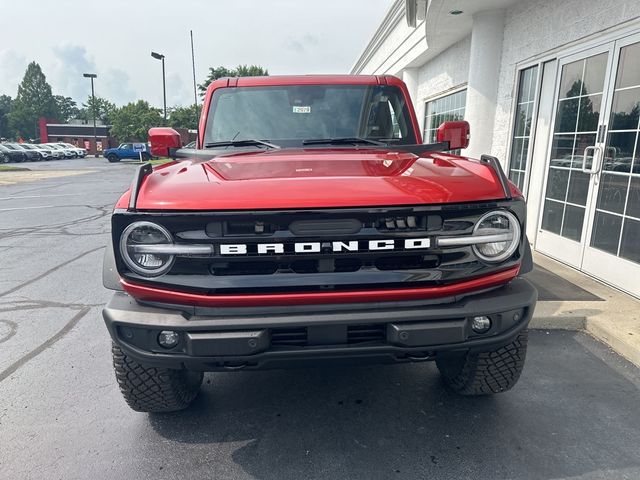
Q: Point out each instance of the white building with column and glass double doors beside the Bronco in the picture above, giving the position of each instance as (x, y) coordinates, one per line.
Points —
(551, 88)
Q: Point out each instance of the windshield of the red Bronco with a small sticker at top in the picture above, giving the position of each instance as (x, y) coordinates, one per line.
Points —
(288, 115)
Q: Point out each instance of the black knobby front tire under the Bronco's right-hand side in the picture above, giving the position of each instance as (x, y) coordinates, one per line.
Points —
(485, 373)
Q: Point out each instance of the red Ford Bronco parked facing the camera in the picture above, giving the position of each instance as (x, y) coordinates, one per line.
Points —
(310, 224)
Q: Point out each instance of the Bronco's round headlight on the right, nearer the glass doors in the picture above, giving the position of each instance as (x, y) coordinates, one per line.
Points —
(502, 230)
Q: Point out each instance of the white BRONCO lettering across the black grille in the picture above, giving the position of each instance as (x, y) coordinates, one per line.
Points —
(324, 247)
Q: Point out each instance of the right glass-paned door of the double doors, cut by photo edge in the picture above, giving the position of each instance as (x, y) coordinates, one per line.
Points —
(612, 251)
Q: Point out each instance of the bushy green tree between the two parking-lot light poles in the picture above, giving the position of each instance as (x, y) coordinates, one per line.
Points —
(133, 121)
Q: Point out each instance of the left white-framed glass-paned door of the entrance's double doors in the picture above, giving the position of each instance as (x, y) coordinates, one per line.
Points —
(575, 152)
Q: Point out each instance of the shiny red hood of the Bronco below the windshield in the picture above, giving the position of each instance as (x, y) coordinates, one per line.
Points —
(298, 178)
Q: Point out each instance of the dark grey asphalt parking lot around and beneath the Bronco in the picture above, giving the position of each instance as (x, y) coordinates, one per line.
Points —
(574, 415)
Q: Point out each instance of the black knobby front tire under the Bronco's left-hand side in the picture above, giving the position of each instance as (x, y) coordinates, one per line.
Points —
(151, 389)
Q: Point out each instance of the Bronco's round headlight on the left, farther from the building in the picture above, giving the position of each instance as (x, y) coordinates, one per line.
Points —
(143, 261)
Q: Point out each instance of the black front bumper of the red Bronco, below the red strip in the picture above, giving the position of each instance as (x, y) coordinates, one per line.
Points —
(124, 313)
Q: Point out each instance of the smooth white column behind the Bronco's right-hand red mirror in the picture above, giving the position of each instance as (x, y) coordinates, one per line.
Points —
(484, 70)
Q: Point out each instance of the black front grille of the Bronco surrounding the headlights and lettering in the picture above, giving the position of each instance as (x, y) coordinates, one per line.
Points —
(322, 267)
